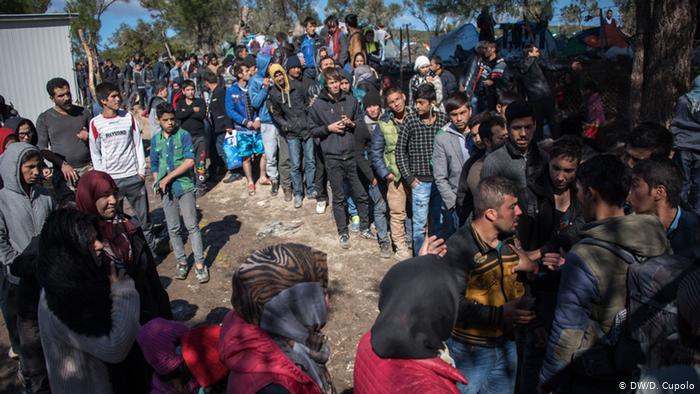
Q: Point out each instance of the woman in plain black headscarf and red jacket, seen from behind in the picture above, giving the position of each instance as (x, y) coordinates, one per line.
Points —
(405, 351)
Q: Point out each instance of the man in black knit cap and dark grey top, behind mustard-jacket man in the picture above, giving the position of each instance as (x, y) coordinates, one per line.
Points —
(519, 159)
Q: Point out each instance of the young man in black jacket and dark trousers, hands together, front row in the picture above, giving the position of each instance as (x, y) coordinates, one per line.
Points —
(333, 119)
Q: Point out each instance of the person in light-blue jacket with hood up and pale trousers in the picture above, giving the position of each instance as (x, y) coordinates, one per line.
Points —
(258, 90)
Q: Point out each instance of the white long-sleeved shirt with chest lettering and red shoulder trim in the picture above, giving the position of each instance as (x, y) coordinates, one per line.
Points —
(116, 147)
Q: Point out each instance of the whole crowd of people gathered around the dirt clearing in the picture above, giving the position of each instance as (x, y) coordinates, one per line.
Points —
(532, 260)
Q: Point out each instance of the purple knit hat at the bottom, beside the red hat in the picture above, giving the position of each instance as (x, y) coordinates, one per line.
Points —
(159, 341)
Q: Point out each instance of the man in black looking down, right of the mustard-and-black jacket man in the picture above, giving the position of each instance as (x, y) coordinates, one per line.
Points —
(549, 224)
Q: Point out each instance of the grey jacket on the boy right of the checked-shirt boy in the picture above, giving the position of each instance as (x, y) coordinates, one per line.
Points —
(449, 155)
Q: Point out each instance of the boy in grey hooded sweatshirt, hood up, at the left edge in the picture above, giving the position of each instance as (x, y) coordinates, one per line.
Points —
(24, 206)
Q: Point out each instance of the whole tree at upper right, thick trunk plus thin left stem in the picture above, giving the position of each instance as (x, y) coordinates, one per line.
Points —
(661, 68)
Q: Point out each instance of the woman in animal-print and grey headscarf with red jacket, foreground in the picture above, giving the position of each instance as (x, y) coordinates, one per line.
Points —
(272, 341)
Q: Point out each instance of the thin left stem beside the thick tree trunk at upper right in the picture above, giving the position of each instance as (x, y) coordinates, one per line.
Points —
(642, 15)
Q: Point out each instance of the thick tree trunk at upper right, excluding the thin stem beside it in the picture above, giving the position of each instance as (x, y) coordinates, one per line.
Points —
(667, 60)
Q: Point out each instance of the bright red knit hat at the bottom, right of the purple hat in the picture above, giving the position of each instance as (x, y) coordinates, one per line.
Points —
(200, 349)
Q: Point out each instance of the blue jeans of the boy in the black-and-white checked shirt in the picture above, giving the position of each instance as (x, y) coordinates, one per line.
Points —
(426, 203)
